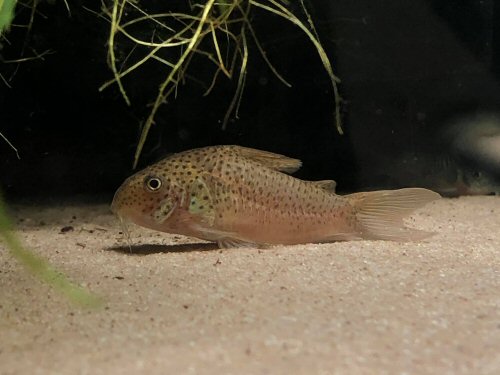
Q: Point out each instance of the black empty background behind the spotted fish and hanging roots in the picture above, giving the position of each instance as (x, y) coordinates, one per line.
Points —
(409, 69)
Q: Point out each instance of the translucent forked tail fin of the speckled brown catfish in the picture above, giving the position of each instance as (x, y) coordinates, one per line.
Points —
(380, 214)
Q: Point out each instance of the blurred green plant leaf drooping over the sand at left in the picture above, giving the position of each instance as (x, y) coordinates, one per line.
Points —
(39, 267)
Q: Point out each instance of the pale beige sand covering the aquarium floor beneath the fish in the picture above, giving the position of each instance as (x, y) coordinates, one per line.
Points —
(175, 306)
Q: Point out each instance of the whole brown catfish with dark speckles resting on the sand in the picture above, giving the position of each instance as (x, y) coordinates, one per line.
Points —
(243, 197)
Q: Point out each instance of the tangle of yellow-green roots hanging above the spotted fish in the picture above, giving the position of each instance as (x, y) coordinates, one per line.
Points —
(217, 31)
